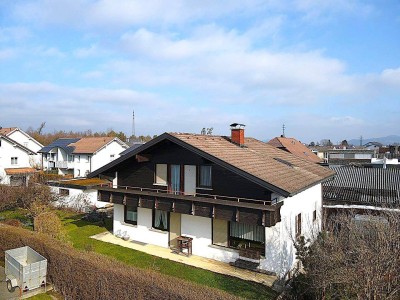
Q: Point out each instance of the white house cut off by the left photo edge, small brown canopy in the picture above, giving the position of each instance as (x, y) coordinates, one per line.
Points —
(15, 167)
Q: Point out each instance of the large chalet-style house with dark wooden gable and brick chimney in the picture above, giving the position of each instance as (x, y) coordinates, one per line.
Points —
(227, 193)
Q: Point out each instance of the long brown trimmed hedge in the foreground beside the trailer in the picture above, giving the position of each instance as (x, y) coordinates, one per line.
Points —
(87, 275)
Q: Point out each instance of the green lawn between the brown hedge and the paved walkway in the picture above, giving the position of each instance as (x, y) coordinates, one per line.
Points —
(79, 232)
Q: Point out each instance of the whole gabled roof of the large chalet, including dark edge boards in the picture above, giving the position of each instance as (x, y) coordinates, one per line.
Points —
(257, 161)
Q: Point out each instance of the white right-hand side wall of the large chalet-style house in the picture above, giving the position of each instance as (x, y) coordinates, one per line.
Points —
(280, 254)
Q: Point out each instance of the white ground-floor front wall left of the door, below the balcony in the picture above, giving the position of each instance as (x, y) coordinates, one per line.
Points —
(142, 232)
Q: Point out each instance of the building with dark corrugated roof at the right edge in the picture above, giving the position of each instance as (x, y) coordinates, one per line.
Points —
(362, 190)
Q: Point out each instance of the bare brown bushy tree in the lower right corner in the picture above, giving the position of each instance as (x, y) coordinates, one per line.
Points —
(352, 259)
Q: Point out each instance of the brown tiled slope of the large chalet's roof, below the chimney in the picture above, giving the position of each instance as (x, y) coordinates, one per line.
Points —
(276, 167)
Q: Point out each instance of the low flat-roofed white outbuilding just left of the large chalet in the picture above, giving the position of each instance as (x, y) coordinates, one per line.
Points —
(79, 194)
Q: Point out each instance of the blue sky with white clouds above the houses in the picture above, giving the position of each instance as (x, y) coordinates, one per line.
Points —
(326, 69)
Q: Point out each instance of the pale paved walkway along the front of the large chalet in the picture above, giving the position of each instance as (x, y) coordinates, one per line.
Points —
(195, 261)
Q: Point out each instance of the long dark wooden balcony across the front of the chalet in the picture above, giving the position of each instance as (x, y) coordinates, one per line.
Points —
(250, 211)
